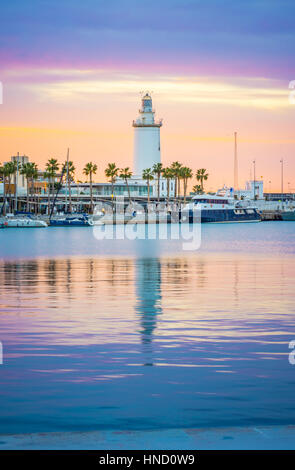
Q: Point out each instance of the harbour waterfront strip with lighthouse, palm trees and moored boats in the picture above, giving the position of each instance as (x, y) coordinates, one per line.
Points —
(147, 193)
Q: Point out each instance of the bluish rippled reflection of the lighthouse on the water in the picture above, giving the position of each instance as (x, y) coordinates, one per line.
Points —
(148, 300)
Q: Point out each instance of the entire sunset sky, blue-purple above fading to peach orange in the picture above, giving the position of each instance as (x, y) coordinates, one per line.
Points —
(72, 73)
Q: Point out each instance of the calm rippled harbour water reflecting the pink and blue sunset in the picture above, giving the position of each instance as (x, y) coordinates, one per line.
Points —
(142, 335)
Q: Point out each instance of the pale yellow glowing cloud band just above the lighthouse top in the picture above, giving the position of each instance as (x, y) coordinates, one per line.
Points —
(55, 85)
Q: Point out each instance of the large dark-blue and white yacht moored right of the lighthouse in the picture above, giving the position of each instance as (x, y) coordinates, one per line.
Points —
(216, 208)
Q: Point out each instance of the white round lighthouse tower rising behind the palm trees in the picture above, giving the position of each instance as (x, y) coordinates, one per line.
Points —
(147, 148)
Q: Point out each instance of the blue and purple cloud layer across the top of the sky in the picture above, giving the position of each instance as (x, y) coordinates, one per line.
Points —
(222, 38)
